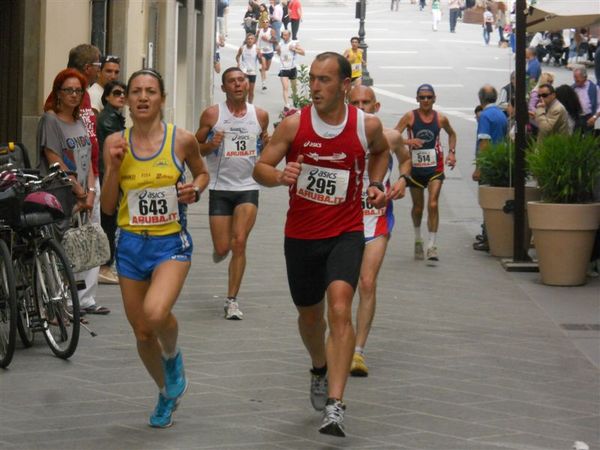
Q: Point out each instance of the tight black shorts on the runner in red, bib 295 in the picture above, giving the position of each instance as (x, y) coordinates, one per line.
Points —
(312, 265)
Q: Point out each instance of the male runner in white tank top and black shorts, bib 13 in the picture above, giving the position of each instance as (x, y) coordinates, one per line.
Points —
(231, 135)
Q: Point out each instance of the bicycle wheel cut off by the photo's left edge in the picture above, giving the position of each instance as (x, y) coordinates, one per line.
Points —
(8, 308)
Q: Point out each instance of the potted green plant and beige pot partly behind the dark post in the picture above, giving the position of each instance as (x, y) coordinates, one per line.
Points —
(496, 194)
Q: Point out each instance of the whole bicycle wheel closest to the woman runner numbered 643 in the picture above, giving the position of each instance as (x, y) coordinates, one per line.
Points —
(57, 299)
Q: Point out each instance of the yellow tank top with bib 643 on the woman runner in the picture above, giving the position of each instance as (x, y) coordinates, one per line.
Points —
(148, 189)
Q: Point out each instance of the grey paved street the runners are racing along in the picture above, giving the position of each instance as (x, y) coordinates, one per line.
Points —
(462, 356)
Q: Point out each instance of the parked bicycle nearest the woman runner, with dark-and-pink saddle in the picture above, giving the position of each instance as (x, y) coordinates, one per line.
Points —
(46, 292)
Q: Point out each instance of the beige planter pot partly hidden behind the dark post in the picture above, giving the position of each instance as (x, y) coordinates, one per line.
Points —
(500, 225)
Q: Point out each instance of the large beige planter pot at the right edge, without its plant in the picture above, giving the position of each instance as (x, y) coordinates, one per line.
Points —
(564, 236)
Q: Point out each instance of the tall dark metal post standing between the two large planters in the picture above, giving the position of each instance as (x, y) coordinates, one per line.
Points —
(519, 247)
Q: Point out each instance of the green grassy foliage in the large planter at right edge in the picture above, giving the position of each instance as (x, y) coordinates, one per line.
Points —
(566, 167)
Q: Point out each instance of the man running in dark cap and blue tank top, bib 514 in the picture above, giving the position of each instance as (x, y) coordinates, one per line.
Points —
(424, 126)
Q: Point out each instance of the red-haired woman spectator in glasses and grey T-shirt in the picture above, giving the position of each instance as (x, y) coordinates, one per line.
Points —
(63, 138)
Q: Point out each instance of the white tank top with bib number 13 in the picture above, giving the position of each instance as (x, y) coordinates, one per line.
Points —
(231, 165)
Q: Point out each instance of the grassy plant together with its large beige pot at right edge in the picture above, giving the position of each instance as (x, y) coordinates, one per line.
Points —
(565, 221)
